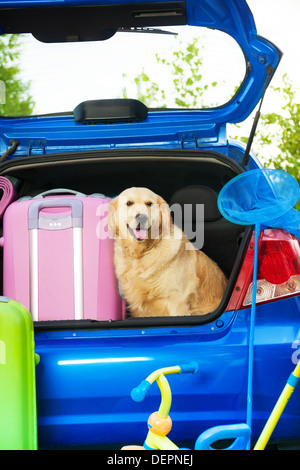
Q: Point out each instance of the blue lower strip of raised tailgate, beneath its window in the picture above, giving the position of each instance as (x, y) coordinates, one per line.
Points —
(62, 134)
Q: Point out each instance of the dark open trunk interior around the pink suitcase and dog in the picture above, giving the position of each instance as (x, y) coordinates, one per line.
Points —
(180, 177)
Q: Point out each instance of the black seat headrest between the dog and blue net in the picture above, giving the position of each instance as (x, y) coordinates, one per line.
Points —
(198, 194)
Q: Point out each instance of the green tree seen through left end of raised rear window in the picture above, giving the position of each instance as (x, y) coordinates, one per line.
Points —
(15, 96)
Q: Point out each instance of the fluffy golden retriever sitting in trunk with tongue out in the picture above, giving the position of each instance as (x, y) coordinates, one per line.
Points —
(159, 271)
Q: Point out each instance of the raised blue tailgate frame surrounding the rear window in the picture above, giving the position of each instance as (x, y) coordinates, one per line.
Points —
(203, 125)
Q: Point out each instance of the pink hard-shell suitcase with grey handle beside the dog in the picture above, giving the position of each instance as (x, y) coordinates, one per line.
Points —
(58, 259)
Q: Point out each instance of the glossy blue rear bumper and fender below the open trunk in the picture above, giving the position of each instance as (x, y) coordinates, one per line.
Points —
(85, 378)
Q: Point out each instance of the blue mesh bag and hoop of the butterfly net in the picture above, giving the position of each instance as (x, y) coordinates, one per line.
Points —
(262, 196)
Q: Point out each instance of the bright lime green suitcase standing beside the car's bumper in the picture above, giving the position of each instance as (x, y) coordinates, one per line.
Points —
(18, 418)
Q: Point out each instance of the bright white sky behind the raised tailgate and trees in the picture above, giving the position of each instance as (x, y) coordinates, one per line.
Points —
(94, 70)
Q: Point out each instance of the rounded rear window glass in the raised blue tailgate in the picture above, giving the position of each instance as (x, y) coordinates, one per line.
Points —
(176, 67)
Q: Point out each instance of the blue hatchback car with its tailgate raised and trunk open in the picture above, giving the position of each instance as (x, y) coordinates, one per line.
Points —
(109, 142)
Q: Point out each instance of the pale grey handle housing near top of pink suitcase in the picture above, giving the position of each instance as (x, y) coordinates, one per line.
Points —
(75, 220)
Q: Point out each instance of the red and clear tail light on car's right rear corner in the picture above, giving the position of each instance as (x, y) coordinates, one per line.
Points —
(278, 270)
